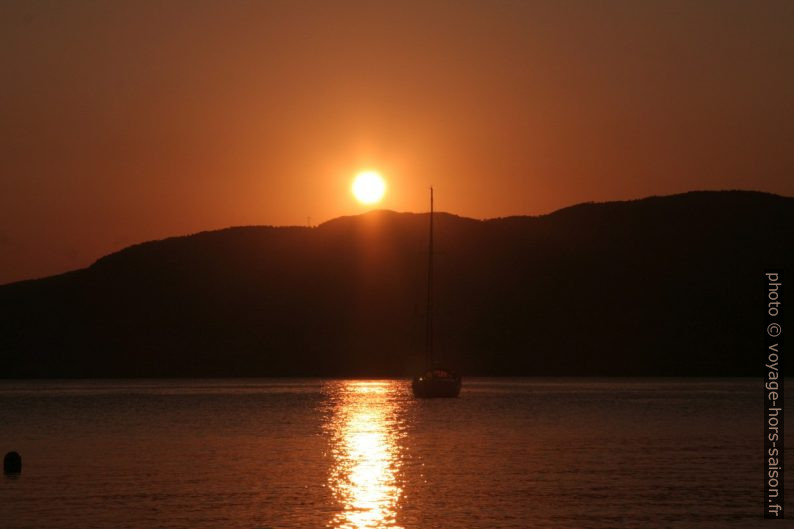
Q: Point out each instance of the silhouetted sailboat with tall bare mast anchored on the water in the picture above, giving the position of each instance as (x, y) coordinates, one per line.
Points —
(434, 380)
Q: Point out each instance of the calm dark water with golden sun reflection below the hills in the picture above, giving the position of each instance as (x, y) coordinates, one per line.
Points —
(519, 453)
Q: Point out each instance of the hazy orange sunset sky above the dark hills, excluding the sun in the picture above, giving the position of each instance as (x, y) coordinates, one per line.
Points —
(127, 121)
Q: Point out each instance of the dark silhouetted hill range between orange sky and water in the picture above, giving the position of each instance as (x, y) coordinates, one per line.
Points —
(659, 286)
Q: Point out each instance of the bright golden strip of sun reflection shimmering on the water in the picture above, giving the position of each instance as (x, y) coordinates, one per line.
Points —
(365, 429)
